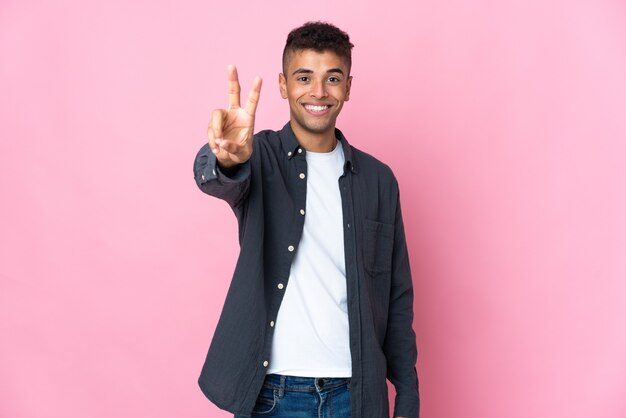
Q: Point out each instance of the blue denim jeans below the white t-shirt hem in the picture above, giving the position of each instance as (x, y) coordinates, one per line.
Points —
(303, 397)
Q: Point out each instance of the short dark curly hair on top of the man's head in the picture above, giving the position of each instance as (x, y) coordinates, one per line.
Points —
(320, 37)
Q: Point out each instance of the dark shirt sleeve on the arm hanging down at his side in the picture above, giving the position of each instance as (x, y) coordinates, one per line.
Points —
(399, 346)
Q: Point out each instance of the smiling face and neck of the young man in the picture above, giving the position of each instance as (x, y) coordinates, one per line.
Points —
(316, 84)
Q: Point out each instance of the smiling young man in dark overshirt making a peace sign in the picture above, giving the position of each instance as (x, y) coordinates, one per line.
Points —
(320, 308)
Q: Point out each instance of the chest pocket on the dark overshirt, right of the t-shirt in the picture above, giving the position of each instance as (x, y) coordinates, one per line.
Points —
(378, 247)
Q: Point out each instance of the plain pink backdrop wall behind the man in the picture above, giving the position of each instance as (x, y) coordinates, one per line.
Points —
(503, 120)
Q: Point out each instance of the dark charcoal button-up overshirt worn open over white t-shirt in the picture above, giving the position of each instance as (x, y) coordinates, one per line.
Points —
(267, 194)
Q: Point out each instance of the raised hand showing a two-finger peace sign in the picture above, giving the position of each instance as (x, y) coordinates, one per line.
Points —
(231, 130)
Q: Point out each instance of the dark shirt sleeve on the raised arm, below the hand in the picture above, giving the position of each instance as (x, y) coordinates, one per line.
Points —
(232, 185)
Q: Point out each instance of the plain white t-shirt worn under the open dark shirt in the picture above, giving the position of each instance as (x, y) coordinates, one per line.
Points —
(311, 338)
